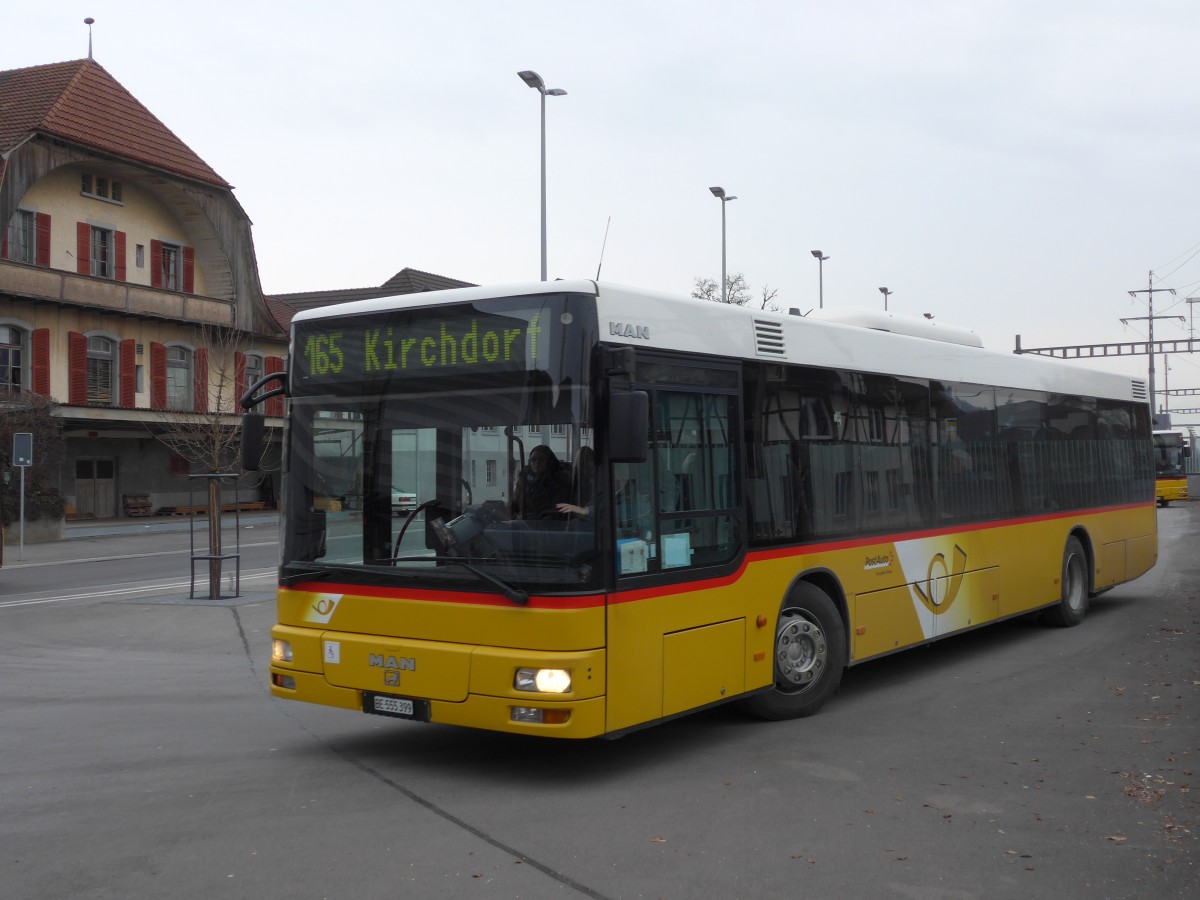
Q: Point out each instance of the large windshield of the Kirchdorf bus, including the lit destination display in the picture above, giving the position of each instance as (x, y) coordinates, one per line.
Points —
(443, 448)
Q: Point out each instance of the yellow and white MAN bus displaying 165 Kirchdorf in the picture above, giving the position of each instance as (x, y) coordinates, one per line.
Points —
(629, 507)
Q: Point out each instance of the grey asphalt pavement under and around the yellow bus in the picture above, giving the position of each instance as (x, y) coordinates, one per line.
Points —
(143, 757)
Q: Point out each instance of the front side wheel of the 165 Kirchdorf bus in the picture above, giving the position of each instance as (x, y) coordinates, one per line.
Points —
(809, 653)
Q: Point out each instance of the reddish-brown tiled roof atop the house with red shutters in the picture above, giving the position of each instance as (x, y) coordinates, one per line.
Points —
(81, 103)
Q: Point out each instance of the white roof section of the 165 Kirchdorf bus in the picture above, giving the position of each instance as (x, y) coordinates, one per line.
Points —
(848, 339)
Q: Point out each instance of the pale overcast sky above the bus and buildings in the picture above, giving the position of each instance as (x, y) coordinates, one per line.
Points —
(1012, 167)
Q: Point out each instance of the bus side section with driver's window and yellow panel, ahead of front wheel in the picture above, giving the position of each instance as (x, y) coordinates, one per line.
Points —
(677, 634)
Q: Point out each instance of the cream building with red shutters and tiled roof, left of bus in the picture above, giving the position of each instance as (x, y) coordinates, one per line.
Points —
(129, 287)
